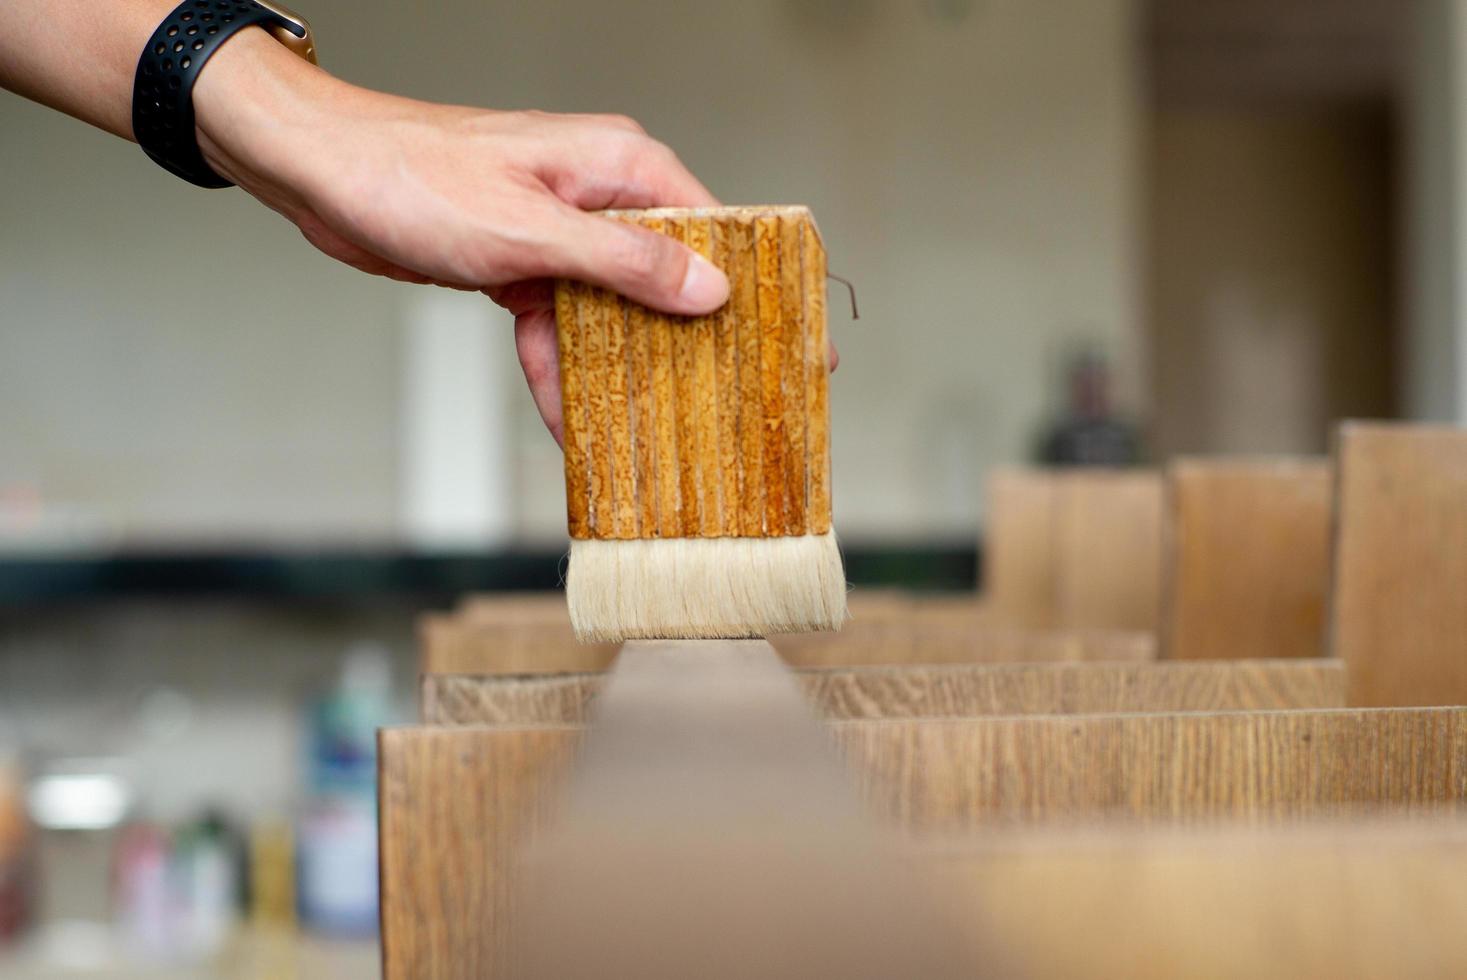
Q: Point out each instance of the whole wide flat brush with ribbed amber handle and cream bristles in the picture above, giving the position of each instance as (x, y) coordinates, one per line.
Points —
(698, 450)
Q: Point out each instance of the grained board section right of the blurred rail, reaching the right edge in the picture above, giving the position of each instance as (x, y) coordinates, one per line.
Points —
(962, 774)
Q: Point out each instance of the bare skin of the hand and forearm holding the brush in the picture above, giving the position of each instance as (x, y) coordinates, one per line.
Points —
(472, 199)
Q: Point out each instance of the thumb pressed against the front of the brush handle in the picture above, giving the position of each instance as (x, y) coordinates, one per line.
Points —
(642, 265)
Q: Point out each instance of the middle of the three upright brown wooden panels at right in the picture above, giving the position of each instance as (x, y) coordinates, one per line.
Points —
(1248, 558)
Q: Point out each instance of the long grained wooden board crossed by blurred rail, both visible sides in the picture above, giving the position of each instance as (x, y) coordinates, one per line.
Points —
(458, 805)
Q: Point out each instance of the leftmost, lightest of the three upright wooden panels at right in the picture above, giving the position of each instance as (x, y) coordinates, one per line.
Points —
(1075, 548)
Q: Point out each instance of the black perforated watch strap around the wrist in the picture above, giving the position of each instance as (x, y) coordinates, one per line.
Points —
(164, 87)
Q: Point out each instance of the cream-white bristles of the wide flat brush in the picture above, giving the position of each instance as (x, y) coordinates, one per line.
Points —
(709, 588)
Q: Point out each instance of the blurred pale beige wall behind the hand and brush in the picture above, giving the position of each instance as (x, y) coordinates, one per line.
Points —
(181, 363)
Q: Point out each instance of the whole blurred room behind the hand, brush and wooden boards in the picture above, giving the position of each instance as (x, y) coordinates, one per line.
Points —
(234, 472)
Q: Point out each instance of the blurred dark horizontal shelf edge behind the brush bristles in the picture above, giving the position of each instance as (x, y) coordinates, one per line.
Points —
(376, 574)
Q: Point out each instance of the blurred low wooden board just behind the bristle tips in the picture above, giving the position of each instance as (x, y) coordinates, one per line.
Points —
(450, 646)
